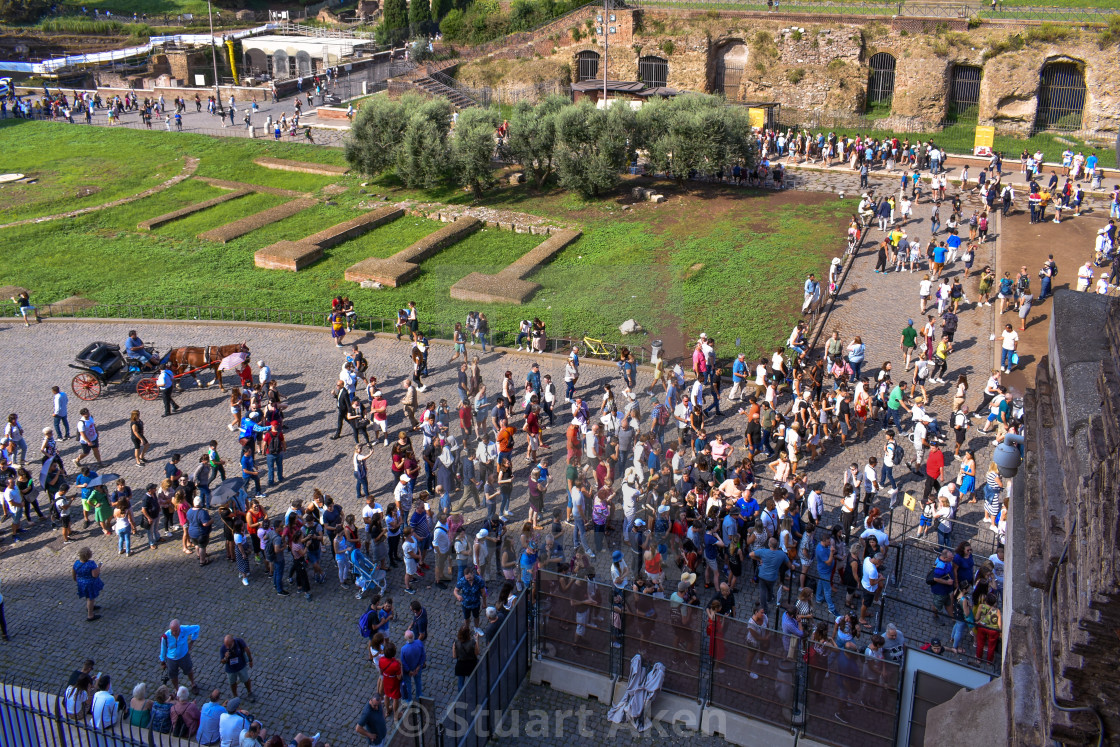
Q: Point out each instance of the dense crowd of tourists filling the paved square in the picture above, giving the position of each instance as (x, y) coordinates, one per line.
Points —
(651, 479)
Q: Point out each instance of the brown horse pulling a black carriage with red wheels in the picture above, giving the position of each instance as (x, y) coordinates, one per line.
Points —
(104, 363)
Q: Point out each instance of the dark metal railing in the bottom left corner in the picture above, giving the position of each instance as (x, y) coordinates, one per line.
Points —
(35, 717)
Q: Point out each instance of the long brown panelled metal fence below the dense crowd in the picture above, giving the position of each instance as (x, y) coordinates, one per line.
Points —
(842, 698)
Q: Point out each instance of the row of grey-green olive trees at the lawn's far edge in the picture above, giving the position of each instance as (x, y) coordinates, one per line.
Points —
(587, 150)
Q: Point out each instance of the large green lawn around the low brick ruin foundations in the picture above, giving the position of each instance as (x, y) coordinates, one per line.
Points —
(736, 274)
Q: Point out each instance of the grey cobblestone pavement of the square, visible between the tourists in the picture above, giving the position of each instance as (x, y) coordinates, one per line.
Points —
(306, 650)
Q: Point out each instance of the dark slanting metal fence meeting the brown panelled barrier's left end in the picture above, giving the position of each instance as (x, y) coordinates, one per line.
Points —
(480, 707)
